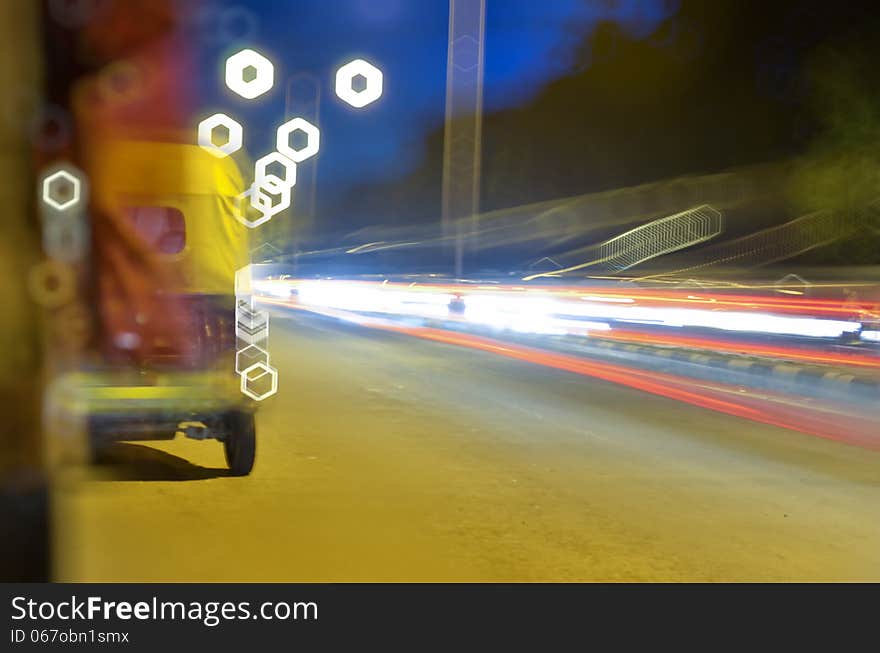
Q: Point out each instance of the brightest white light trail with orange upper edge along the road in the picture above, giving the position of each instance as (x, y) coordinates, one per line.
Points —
(557, 309)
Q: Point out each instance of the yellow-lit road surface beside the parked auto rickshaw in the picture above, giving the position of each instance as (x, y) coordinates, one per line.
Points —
(389, 458)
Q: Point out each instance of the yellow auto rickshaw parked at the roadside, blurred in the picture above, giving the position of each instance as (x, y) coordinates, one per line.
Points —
(166, 249)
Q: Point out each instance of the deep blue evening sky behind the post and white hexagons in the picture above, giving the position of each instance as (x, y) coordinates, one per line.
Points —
(527, 44)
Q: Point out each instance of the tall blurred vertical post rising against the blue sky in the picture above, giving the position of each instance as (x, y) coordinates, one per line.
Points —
(462, 145)
